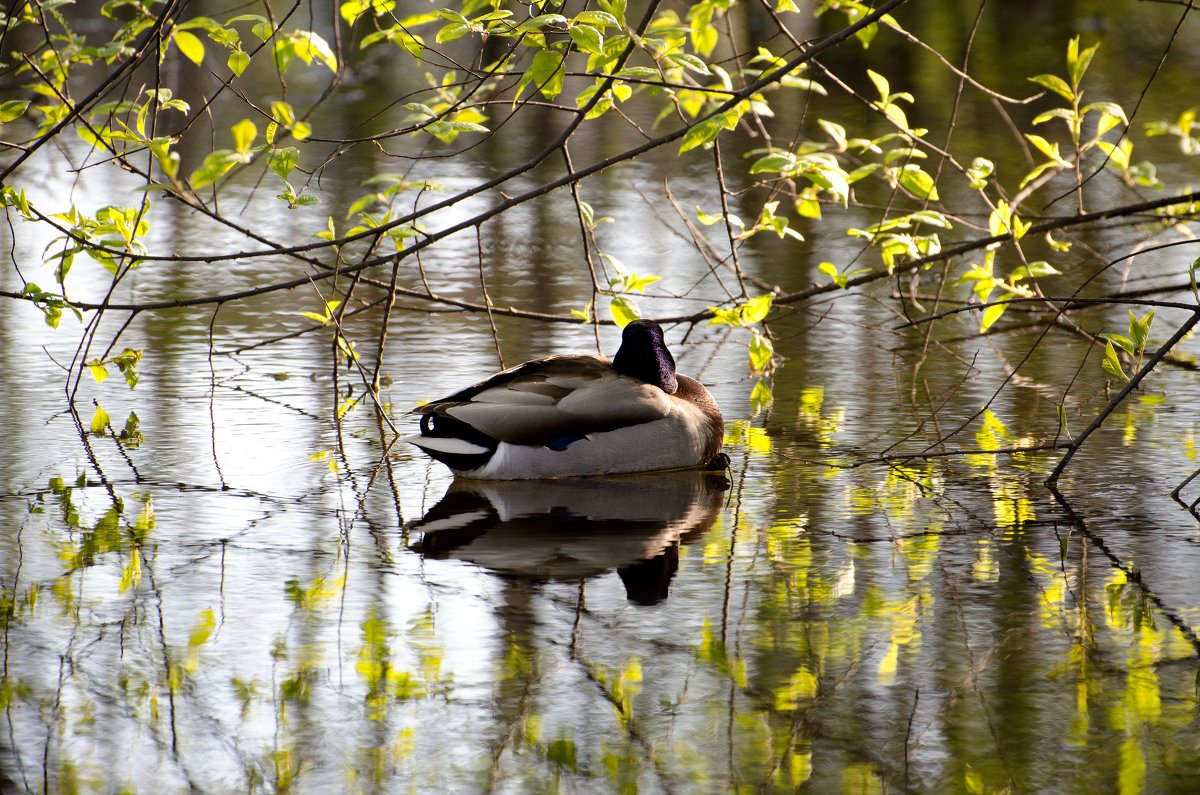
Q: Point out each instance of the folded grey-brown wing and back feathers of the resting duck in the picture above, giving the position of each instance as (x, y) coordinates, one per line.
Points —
(551, 401)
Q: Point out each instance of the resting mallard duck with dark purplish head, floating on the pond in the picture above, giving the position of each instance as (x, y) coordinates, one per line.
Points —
(579, 416)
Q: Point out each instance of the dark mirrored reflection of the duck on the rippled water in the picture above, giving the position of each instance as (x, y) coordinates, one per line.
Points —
(575, 529)
